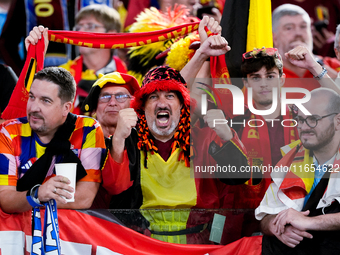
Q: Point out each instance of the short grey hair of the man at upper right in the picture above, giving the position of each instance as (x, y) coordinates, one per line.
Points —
(287, 10)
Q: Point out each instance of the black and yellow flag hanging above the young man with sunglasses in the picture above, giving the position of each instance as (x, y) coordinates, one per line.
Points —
(245, 24)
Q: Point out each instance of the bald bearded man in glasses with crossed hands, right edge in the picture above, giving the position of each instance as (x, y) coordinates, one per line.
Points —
(300, 211)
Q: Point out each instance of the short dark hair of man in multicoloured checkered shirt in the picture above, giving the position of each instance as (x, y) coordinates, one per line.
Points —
(60, 77)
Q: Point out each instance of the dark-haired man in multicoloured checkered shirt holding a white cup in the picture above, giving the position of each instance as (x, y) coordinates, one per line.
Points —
(30, 146)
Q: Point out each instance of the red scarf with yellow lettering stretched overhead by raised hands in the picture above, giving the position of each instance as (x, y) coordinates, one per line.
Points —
(35, 57)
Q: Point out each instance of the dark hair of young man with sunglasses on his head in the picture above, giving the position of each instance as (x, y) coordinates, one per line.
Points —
(253, 65)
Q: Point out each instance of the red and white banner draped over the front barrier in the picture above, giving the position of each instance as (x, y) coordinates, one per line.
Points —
(97, 232)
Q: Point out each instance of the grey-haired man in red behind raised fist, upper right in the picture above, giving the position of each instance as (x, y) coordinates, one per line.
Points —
(292, 28)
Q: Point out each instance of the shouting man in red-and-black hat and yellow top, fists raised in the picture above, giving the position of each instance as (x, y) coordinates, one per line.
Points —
(159, 175)
